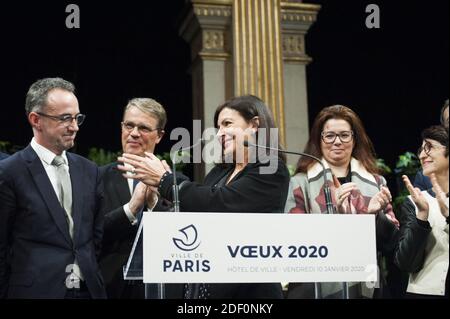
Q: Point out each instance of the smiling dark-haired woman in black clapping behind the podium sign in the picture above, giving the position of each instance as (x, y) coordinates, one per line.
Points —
(240, 186)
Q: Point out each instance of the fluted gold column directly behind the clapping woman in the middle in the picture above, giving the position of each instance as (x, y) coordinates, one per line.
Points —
(258, 54)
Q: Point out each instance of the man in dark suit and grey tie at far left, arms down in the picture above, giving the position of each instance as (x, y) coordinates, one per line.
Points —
(51, 220)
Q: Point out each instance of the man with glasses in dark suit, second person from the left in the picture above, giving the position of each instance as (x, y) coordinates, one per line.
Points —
(142, 128)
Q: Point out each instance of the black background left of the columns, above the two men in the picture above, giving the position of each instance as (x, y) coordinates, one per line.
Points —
(123, 50)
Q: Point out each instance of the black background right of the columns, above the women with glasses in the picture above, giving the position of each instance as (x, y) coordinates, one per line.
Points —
(396, 78)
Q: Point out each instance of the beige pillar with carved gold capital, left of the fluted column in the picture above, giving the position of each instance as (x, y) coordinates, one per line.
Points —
(206, 26)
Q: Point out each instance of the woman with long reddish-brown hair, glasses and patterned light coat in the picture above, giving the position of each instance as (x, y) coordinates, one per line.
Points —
(339, 139)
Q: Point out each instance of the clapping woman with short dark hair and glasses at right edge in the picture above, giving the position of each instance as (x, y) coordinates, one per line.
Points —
(423, 245)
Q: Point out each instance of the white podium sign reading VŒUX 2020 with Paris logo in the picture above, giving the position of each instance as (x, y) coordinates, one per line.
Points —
(239, 247)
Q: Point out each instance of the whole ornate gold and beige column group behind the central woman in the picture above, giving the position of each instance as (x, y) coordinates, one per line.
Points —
(251, 47)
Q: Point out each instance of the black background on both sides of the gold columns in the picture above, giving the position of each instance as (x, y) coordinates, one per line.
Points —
(395, 78)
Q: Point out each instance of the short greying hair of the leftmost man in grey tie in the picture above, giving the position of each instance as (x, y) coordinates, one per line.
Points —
(37, 95)
